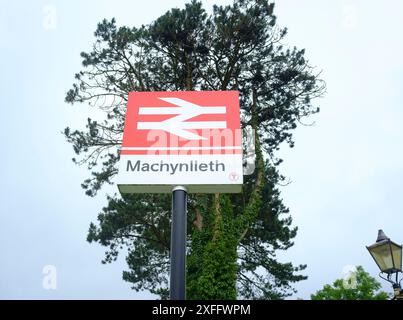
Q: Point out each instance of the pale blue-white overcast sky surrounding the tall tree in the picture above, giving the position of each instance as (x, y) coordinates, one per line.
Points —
(346, 170)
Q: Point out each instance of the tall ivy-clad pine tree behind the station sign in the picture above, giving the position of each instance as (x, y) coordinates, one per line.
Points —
(232, 239)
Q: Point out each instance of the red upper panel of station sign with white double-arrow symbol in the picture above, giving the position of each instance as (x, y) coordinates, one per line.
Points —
(185, 122)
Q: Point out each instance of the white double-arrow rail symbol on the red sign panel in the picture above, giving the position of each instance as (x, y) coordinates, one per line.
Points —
(185, 111)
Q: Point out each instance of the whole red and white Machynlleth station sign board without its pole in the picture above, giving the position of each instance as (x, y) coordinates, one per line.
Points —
(187, 138)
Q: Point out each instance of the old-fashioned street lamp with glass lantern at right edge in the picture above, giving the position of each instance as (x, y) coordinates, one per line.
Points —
(388, 256)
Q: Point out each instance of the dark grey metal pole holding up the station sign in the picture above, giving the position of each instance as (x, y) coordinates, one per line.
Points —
(178, 243)
